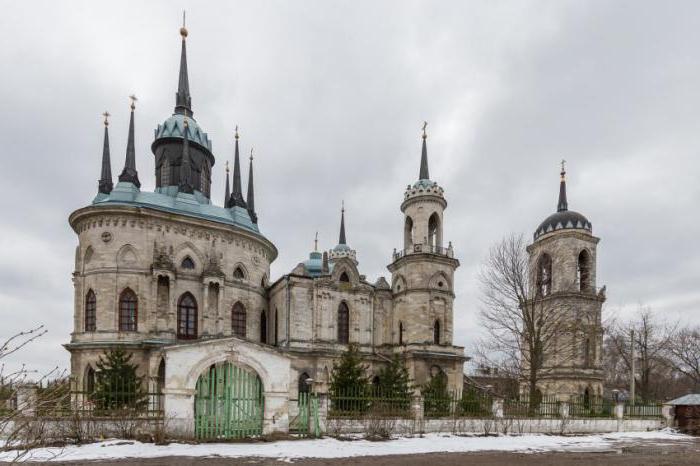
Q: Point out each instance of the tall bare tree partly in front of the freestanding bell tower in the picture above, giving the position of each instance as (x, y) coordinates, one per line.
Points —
(529, 333)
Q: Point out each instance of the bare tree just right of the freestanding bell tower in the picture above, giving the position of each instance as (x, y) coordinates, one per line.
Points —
(651, 343)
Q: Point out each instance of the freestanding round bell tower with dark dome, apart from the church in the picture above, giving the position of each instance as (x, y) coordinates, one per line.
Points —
(562, 261)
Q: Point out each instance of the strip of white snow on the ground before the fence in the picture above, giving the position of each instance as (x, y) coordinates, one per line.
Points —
(332, 448)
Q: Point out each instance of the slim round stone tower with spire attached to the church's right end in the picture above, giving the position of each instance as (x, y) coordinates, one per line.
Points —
(422, 283)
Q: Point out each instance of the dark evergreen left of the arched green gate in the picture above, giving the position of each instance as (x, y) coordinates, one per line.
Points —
(117, 385)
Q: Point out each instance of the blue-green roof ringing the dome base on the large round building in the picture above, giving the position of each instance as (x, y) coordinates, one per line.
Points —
(170, 200)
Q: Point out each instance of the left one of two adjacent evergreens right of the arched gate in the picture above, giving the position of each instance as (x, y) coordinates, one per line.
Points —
(349, 382)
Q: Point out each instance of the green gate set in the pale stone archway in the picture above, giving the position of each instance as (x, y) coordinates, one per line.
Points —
(228, 403)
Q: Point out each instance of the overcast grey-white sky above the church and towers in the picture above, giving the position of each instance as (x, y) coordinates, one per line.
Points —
(332, 95)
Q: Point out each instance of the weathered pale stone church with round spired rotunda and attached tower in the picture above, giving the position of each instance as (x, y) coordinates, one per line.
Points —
(183, 284)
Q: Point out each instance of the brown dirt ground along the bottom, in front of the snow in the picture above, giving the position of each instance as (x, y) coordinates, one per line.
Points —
(668, 454)
